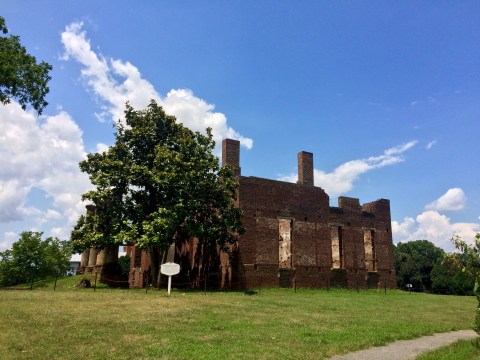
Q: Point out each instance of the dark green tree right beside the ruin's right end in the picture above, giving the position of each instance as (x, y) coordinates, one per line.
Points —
(414, 261)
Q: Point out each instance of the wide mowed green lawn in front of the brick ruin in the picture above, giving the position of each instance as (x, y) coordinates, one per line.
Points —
(72, 323)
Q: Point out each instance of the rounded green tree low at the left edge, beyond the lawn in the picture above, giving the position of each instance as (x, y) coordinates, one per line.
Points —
(32, 258)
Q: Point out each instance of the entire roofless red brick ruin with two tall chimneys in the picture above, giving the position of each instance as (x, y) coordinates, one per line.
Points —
(293, 238)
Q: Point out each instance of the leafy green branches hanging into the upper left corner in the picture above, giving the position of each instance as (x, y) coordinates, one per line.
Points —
(21, 77)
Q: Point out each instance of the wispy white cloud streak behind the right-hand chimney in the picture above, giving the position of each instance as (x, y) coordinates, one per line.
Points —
(341, 180)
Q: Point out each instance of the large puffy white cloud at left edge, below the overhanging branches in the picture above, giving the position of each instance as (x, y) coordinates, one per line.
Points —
(40, 153)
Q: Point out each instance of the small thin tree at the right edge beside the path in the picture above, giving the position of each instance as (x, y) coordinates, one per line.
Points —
(468, 259)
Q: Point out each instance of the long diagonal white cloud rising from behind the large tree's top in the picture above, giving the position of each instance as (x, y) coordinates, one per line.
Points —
(114, 82)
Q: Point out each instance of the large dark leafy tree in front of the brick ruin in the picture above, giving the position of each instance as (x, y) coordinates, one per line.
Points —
(158, 183)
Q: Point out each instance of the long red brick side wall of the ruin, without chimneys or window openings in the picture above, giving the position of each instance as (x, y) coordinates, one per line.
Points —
(265, 201)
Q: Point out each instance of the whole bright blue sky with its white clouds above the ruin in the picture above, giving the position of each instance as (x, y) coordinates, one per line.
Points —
(385, 94)
